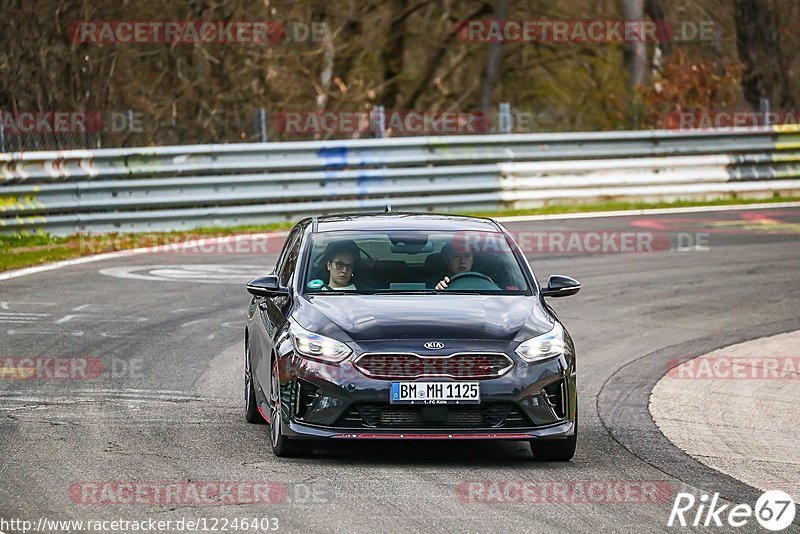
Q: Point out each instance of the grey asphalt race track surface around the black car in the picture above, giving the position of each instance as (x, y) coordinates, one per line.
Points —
(167, 408)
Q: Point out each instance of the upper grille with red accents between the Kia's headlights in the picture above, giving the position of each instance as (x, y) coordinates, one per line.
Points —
(475, 365)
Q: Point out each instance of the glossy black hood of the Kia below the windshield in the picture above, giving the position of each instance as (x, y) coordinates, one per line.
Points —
(372, 317)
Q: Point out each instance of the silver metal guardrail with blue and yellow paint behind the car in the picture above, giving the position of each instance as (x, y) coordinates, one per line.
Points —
(184, 187)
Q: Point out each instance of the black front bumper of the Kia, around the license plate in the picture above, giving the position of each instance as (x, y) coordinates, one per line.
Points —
(320, 400)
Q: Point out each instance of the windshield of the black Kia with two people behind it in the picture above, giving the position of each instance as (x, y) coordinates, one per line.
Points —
(413, 262)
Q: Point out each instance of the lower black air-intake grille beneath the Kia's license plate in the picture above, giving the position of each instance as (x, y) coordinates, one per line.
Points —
(381, 415)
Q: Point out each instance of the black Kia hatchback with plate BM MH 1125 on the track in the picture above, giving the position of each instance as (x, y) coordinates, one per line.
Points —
(408, 326)
